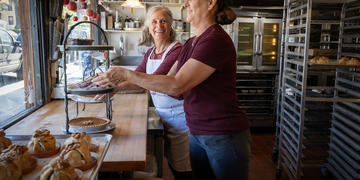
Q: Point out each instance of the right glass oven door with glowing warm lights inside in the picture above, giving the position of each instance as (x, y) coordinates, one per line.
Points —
(270, 45)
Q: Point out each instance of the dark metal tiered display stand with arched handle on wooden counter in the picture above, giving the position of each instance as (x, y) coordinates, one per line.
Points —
(64, 48)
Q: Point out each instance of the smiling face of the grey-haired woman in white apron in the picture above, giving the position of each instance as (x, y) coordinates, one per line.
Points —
(160, 26)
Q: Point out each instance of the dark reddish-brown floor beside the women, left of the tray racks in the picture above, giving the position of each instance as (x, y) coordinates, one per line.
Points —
(261, 166)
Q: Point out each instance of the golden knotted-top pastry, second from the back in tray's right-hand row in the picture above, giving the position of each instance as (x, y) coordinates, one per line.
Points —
(76, 154)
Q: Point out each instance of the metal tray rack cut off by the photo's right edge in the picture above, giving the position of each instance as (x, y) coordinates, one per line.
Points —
(344, 151)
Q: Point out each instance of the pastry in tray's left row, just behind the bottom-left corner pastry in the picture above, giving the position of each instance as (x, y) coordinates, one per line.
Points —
(26, 161)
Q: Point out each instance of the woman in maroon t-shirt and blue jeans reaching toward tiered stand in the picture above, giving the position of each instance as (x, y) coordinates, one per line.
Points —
(205, 74)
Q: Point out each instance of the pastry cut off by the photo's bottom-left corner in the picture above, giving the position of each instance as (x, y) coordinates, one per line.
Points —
(9, 167)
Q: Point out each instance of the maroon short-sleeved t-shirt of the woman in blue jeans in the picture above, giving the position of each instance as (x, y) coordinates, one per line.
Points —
(211, 107)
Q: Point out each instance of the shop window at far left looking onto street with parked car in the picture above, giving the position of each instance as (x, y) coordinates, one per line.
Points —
(20, 91)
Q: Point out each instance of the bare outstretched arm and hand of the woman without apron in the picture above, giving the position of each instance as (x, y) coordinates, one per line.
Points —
(192, 73)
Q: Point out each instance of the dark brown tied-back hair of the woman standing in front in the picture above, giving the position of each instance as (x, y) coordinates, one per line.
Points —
(224, 14)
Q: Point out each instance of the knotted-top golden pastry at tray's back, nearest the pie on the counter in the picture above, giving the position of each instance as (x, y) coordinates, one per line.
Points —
(43, 144)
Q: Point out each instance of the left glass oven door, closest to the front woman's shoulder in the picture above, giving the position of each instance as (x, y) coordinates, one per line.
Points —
(245, 43)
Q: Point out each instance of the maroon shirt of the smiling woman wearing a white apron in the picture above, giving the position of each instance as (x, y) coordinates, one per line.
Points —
(166, 65)
